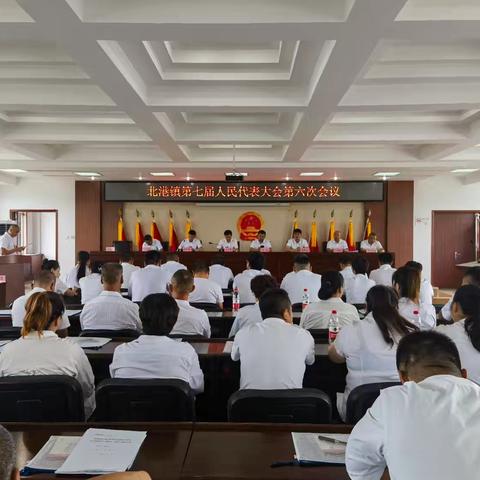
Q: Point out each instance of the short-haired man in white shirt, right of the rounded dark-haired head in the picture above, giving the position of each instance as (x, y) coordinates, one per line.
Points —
(191, 320)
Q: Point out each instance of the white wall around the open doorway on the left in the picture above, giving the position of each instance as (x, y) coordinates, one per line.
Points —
(47, 193)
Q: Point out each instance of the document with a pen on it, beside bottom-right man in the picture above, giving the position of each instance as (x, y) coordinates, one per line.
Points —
(320, 448)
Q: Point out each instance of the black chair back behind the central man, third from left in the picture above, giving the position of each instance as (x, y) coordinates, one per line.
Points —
(303, 405)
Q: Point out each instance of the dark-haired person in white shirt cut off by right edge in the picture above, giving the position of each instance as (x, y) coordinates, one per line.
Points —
(465, 330)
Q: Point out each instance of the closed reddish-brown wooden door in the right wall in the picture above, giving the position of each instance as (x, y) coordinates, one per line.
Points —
(453, 242)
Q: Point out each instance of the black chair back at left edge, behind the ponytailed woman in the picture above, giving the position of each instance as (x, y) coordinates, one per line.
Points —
(41, 398)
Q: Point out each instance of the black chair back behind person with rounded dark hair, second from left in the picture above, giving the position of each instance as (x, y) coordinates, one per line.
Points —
(131, 400)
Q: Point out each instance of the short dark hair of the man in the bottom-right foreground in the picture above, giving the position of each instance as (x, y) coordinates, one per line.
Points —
(428, 349)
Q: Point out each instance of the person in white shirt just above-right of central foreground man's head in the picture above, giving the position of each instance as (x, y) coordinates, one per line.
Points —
(301, 278)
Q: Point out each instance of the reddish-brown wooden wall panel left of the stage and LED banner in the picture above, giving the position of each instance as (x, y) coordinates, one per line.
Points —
(88, 215)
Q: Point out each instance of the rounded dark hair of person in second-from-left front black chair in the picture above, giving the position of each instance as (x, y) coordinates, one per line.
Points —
(158, 313)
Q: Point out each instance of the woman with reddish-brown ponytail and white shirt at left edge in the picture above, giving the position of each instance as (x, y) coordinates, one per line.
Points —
(41, 352)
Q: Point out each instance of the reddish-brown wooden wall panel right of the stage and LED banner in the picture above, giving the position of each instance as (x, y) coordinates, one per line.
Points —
(400, 220)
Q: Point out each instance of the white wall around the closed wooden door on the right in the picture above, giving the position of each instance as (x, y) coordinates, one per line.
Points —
(438, 193)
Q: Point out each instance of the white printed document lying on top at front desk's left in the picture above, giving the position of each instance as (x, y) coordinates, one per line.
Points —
(102, 451)
